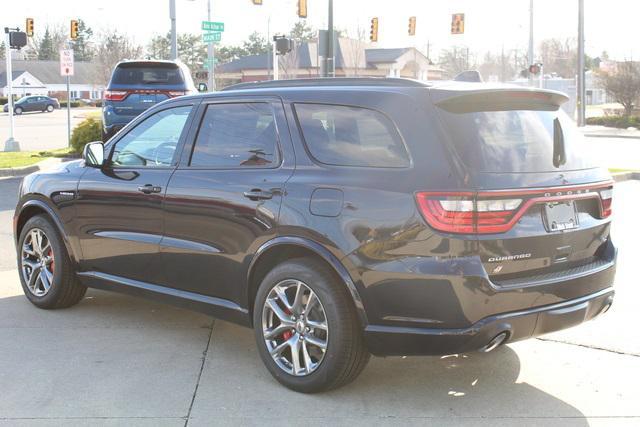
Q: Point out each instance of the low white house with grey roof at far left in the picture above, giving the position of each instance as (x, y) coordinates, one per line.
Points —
(43, 78)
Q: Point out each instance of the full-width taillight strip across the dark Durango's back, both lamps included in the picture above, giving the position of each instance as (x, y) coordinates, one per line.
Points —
(489, 212)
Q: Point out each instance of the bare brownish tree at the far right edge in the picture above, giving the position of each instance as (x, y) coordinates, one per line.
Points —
(623, 85)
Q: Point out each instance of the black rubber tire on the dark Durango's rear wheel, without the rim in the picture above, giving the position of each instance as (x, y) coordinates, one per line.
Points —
(346, 355)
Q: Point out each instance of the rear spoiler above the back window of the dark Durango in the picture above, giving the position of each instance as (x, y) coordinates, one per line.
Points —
(503, 99)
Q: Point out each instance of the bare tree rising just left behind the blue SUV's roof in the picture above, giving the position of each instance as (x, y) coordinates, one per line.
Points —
(111, 48)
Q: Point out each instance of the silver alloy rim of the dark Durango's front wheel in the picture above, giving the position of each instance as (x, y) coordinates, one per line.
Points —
(37, 262)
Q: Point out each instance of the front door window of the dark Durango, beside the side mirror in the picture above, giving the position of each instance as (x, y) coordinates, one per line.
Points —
(153, 142)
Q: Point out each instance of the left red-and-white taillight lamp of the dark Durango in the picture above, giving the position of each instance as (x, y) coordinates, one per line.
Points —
(463, 213)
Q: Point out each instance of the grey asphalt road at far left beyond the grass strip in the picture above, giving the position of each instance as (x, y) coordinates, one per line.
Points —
(41, 131)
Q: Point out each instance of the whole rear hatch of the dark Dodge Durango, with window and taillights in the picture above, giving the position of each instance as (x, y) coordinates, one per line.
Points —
(537, 205)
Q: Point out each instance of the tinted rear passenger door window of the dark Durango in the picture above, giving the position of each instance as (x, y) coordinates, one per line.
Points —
(236, 135)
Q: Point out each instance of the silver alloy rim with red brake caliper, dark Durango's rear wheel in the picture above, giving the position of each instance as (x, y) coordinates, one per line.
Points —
(295, 328)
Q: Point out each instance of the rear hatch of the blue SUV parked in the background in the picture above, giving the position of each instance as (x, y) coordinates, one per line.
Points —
(137, 86)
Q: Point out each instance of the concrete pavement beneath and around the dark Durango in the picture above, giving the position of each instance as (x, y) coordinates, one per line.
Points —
(117, 360)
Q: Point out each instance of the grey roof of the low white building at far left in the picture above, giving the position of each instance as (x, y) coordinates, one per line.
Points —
(48, 72)
